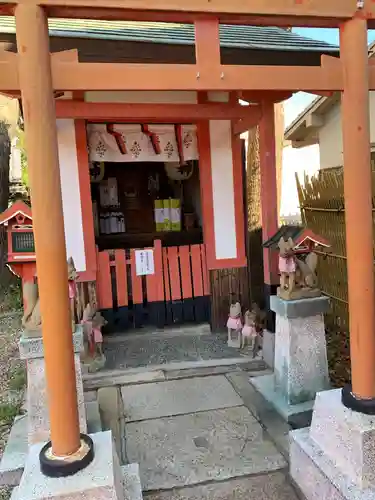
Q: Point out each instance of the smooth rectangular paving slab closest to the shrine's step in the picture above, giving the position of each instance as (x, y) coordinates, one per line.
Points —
(176, 397)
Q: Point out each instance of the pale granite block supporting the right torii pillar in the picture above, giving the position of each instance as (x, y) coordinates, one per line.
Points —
(335, 457)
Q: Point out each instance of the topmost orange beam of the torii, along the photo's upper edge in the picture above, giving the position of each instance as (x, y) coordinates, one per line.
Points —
(325, 13)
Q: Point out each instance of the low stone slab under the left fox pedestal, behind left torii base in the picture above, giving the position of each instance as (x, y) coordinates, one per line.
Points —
(15, 453)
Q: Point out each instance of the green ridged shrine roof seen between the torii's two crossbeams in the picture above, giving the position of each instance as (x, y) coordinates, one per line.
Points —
(231, 36)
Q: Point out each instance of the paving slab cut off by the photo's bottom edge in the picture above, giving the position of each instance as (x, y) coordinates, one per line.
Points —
(273, 486)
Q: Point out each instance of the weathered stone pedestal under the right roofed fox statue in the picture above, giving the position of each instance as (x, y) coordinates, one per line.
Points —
(300, 365)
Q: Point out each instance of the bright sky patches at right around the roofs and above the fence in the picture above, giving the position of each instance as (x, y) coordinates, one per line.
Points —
(305, 160)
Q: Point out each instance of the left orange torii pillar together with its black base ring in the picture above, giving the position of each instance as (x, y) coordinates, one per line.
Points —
(67, 450)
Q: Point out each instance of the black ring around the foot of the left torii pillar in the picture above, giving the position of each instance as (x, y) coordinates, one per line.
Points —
(54, 467)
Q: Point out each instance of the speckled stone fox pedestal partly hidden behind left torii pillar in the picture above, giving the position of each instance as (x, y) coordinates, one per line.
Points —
(31, 349)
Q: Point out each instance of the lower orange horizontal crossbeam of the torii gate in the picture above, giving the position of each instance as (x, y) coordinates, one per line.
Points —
(121, 76)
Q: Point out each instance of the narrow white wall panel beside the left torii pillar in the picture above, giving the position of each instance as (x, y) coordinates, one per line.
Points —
(70, 193)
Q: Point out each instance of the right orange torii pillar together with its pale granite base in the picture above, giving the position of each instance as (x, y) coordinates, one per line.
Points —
(335, 458)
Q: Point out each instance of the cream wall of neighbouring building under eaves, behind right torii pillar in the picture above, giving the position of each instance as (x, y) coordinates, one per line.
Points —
(330, 136)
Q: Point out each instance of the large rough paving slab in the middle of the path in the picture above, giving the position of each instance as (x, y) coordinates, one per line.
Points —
(205, 446)
